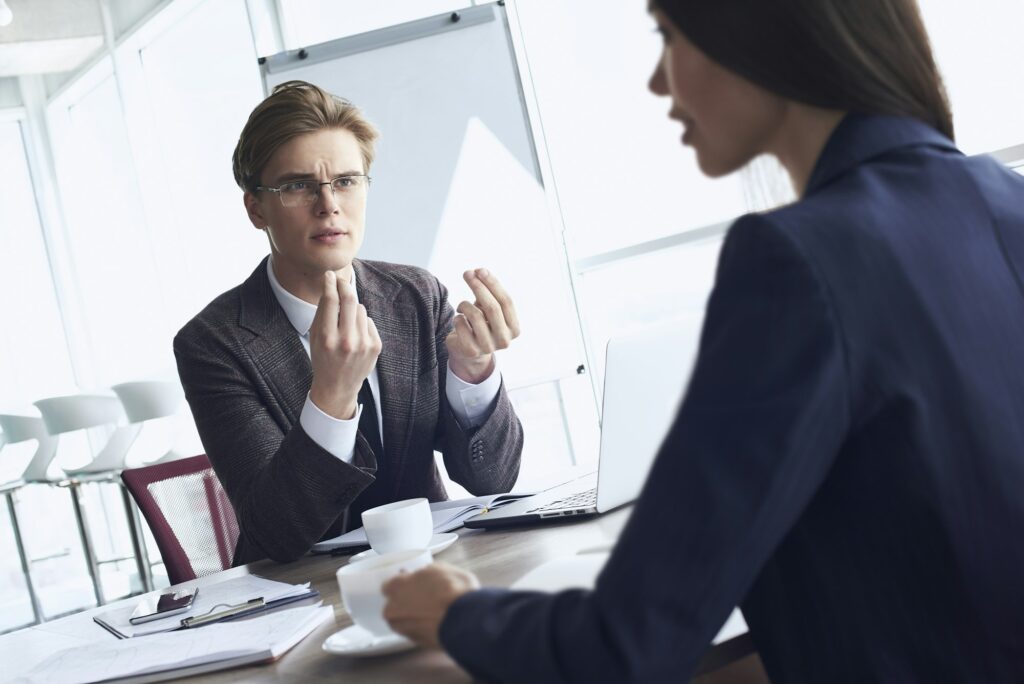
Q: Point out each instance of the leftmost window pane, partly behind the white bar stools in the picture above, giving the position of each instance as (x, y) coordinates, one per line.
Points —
(34, 364)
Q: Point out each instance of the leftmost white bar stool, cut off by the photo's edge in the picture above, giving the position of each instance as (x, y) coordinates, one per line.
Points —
(18, 430)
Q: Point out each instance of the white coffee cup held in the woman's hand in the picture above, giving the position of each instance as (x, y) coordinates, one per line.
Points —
(361, 586)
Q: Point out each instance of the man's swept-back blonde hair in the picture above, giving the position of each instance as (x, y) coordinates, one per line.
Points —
(294, 109)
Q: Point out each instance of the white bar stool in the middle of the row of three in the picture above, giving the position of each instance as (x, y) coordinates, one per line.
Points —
(63, 415)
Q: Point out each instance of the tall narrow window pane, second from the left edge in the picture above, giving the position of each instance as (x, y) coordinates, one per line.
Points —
(107, 232)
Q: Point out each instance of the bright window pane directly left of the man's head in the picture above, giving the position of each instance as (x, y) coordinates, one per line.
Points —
(190, 90)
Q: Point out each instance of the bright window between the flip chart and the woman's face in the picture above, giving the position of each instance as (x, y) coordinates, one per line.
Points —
(622, 177)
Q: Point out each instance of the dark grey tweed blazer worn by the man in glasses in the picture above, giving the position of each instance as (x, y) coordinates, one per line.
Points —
(246, 377)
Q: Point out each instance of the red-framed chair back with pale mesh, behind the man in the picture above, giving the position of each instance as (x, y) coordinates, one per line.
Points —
(189, 514)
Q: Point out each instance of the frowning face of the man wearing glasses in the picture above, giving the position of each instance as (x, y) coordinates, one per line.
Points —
(307, 241)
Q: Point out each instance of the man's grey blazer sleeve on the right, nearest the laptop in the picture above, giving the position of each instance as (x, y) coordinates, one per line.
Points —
(486, 459)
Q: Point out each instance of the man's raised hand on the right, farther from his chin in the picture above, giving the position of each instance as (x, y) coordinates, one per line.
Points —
(482, 327)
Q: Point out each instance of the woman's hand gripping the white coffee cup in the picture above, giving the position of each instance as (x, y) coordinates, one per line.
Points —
(417, 603)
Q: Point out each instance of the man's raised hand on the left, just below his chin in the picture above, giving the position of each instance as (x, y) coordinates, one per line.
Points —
(344, 349)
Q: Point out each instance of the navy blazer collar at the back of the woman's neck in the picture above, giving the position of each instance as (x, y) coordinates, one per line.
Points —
(861, 138)
